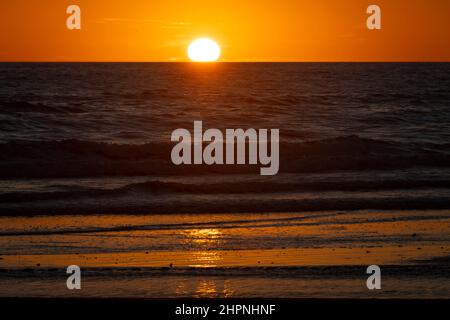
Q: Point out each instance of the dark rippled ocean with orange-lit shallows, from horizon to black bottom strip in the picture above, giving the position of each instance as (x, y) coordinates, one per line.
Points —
(86, 177)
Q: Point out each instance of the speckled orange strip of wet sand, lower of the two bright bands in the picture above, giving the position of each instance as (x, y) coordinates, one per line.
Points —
(386, 255)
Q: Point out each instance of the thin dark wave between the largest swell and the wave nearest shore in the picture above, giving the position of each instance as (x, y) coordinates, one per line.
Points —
(239, 187)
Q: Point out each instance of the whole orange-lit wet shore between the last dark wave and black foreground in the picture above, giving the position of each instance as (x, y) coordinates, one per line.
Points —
(320, 254)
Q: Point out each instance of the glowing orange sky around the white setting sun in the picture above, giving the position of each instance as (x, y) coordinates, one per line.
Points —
(247, 30)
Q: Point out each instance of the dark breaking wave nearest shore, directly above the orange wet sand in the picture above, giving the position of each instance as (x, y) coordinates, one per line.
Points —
(140, 204)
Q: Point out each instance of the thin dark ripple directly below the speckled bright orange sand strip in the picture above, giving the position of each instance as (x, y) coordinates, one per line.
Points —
(421, 270)
